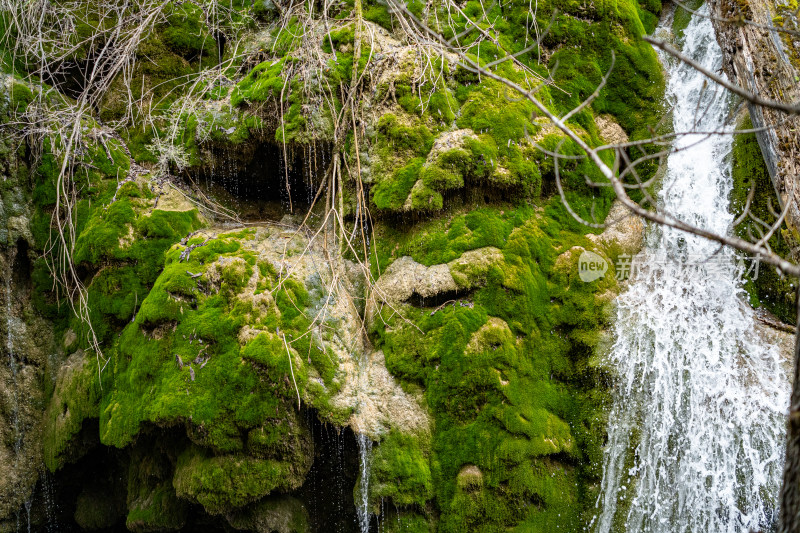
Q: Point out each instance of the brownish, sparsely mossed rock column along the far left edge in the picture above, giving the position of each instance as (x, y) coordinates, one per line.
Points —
(29, 355)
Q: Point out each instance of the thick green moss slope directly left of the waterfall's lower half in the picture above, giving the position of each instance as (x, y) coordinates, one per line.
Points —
(507, 378)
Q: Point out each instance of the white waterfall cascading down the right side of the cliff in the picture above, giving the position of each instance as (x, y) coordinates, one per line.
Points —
(696, 430)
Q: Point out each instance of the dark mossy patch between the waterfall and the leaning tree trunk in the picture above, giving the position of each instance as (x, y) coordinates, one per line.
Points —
(764, 285)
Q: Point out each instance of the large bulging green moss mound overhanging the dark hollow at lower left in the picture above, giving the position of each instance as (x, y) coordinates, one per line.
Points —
(187, 359)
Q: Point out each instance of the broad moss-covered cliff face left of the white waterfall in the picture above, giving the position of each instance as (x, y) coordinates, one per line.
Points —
(466, 347)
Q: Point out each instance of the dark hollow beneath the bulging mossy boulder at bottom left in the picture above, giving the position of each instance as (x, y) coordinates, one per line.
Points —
(102, 487)
